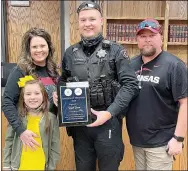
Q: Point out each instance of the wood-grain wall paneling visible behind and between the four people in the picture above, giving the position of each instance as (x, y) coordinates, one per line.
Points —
(46, 14)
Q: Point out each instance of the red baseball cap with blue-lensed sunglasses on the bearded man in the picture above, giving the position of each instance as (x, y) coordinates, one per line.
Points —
(150, 24)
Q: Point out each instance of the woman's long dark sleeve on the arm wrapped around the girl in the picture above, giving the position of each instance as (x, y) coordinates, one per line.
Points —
(10, 101)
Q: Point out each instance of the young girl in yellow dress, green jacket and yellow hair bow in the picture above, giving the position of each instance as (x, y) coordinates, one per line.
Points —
(33, 110)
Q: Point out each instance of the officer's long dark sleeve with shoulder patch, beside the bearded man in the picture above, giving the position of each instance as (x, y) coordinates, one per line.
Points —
(129, 83)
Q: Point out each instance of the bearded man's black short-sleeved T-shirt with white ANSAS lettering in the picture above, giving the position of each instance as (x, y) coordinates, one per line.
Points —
(152, 116)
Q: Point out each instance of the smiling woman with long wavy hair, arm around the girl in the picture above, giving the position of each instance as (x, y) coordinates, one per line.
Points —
(36, 58)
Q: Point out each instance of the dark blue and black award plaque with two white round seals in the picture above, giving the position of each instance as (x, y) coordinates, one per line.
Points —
(73, 104)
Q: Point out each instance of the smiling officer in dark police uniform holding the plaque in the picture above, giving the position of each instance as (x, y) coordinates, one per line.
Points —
(113, 85)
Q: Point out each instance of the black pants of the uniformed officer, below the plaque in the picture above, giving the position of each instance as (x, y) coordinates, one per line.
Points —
(103, 143)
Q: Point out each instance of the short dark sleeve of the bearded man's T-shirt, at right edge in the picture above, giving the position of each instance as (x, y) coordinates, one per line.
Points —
(179, 81)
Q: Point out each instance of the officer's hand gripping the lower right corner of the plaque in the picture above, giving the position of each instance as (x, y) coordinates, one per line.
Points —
(102, 117)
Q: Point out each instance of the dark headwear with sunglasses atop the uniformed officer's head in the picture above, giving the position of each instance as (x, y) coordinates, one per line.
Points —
(88, 5)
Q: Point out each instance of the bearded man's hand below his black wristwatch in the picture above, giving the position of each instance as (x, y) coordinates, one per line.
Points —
(174, 147)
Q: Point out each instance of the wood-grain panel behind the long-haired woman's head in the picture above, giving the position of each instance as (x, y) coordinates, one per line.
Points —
(42, 14)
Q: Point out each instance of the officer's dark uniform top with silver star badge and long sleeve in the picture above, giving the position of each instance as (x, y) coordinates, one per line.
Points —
(111, 62)
